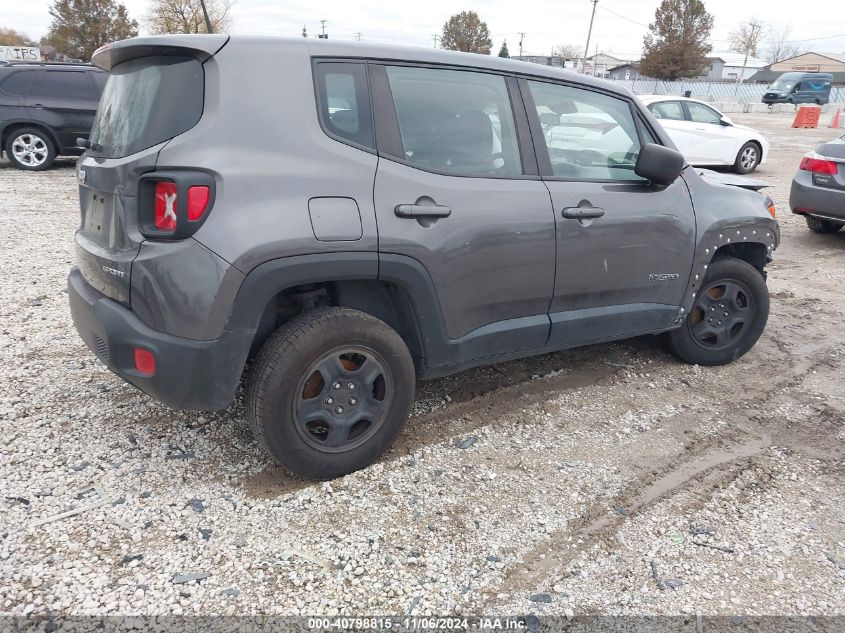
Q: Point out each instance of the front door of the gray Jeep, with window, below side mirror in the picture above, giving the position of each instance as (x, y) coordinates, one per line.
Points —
(624, 246)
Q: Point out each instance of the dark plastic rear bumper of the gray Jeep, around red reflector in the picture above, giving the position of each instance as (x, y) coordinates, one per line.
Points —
(189, 374)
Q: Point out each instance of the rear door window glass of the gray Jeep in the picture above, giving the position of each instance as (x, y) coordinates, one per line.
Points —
(455, 121)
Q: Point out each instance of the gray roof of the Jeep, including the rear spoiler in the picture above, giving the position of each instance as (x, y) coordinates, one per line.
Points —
(140, 46)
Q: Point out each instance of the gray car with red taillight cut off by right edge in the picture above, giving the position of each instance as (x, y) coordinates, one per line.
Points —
(818, 189)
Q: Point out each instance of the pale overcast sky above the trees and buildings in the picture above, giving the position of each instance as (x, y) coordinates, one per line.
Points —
(619, 27)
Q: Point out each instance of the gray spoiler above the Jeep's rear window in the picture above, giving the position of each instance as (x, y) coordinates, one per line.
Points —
(200, 46)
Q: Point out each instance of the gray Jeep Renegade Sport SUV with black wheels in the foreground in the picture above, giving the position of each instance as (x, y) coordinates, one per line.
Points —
(350, 216)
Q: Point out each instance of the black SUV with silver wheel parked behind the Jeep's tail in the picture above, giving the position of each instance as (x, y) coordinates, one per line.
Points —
(44, 108)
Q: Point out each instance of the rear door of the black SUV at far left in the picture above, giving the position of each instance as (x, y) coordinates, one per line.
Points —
(66, 101)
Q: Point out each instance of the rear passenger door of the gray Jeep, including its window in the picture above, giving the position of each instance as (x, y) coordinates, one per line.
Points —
(457, 190)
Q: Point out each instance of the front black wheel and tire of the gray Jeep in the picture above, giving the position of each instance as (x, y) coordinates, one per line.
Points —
(728, 316)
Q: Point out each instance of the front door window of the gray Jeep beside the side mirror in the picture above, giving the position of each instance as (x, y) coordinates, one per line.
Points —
(589, 135)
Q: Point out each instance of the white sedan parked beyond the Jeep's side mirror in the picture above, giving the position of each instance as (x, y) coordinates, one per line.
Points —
(707, 137)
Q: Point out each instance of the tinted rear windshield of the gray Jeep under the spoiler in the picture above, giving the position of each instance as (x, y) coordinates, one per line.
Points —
(147, 101)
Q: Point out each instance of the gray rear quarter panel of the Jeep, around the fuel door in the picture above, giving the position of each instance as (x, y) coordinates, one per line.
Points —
(261, 137)
